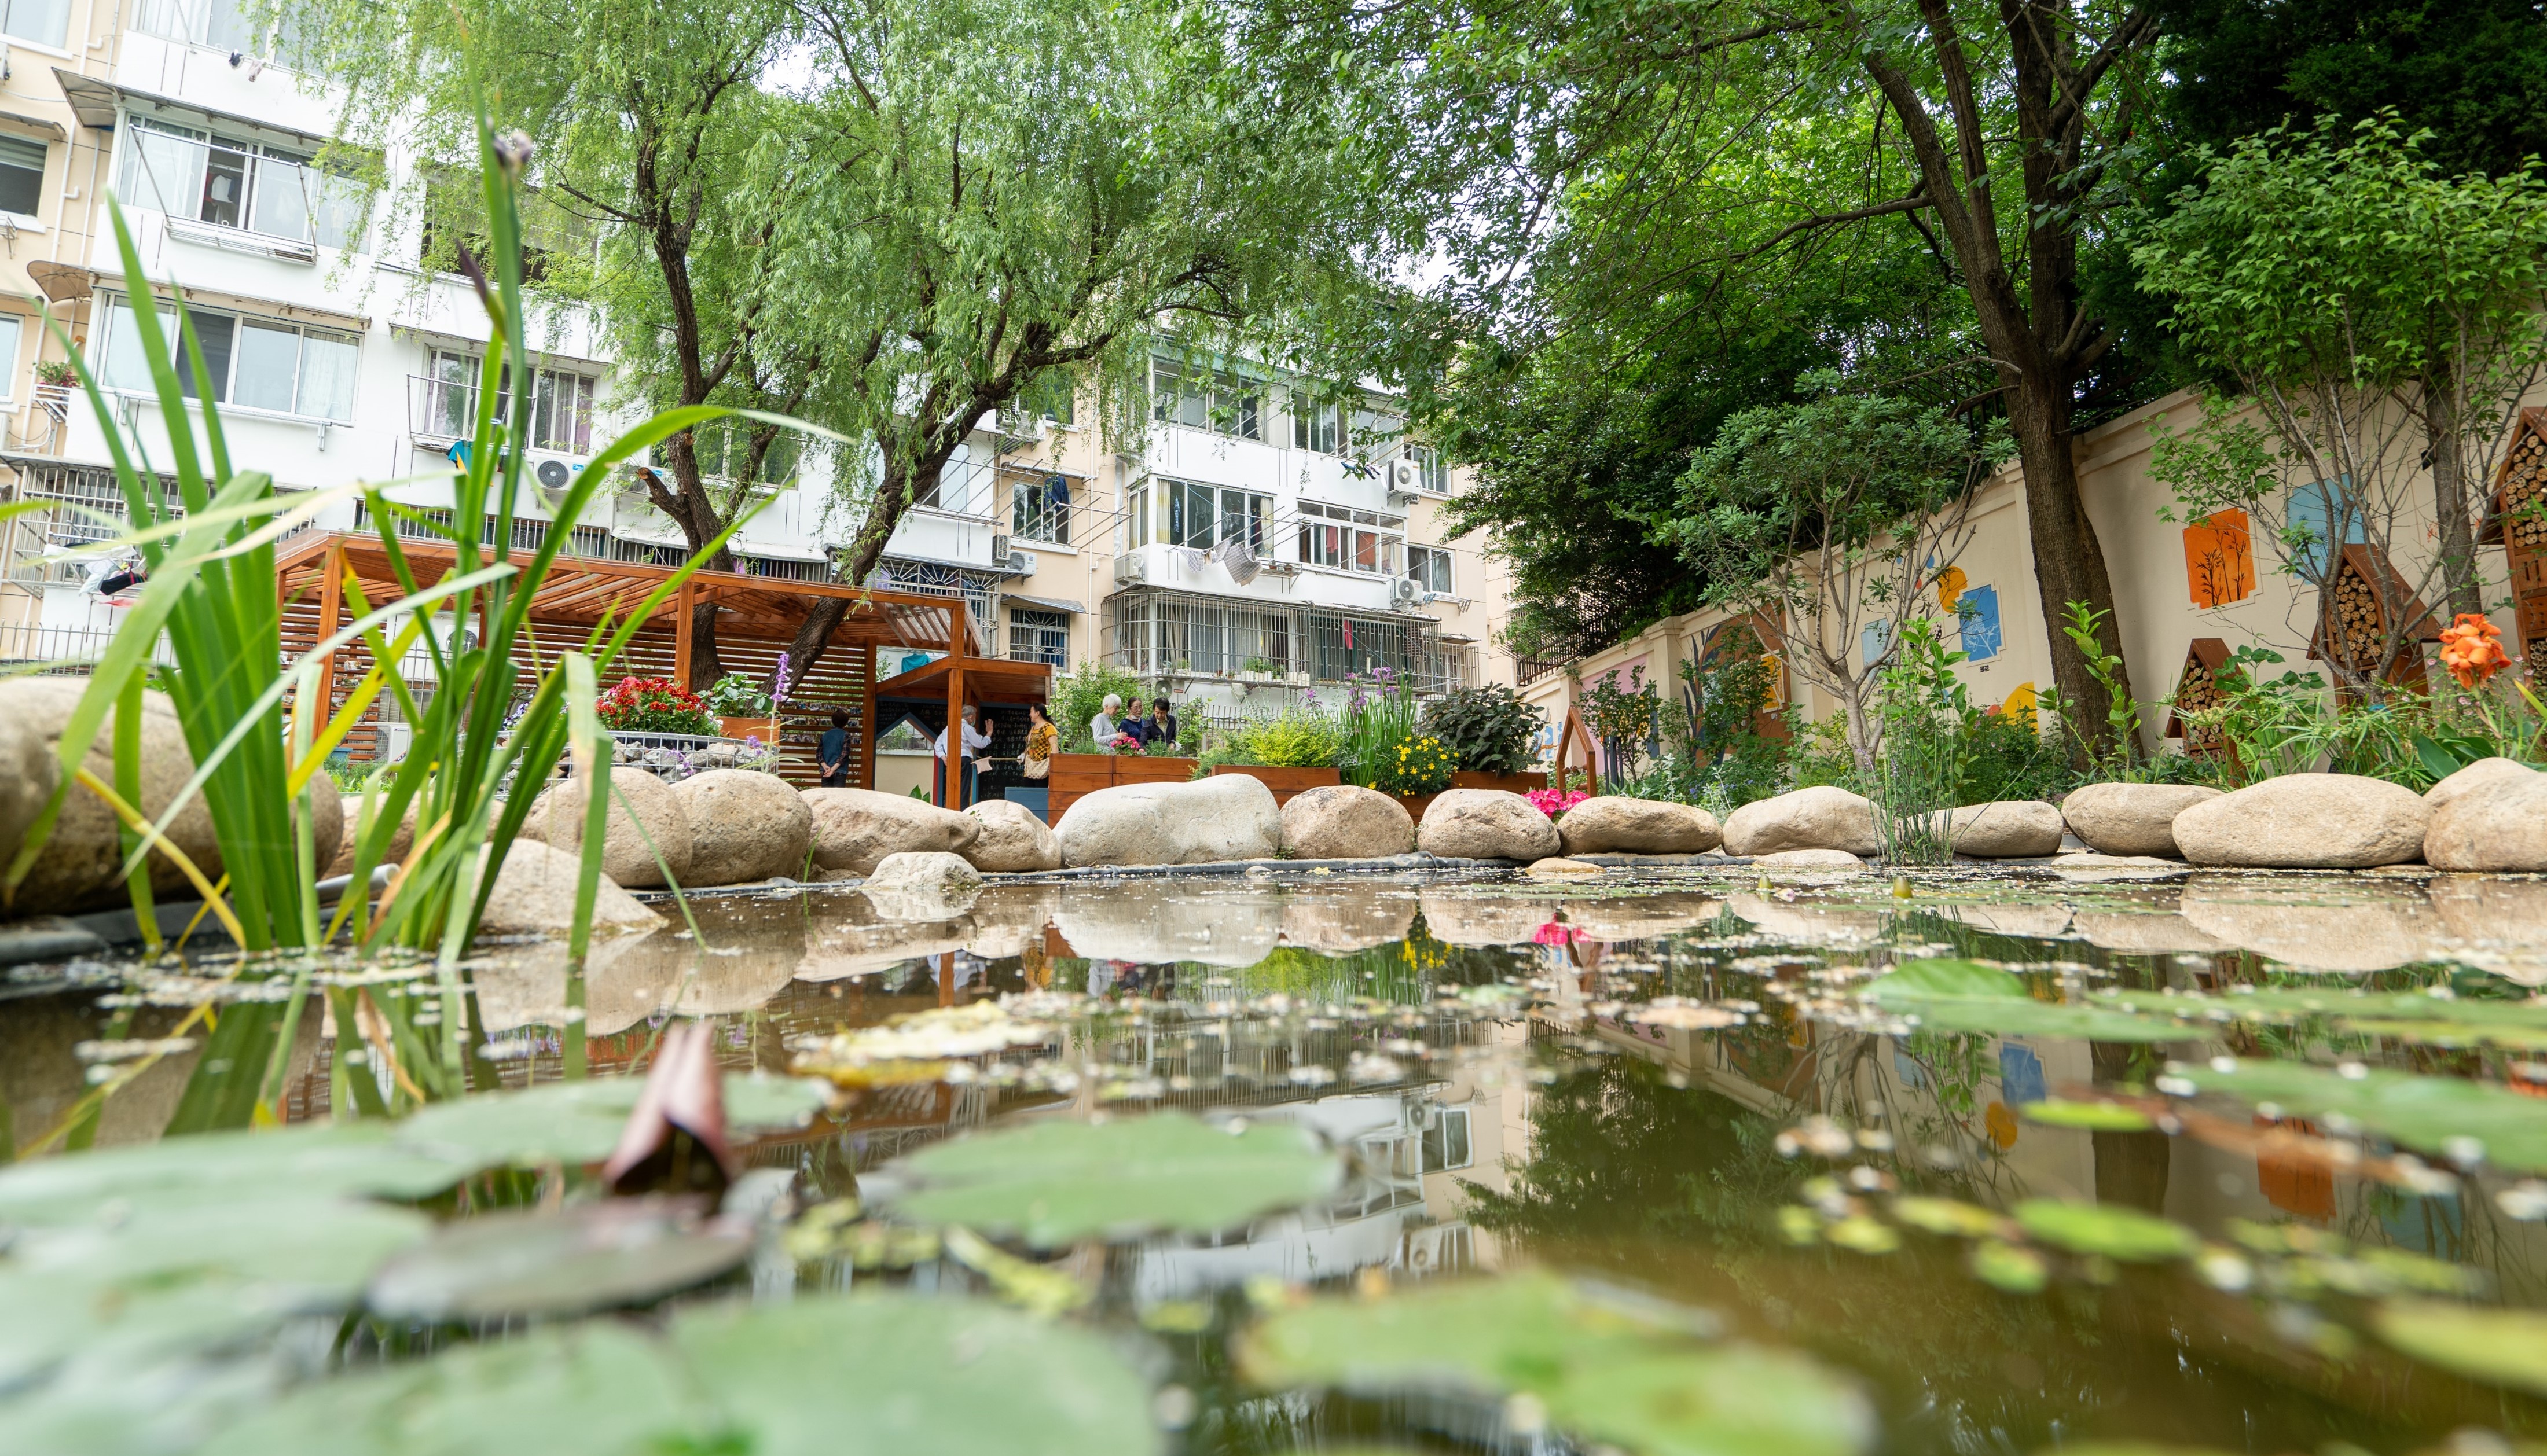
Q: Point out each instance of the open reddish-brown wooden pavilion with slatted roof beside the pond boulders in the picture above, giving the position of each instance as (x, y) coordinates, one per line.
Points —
(758, 620)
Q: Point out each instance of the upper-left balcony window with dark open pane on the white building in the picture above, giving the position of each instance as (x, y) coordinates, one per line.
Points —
(248, 187)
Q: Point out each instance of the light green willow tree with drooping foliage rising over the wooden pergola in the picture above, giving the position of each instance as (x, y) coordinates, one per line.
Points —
(967, 202)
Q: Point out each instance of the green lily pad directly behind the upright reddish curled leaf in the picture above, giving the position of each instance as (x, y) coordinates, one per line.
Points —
(579, 1121)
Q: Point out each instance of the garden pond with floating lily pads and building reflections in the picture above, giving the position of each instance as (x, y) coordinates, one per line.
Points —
(1662, 1162)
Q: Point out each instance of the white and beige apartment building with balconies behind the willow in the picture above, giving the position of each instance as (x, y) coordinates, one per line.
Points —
(335, 358)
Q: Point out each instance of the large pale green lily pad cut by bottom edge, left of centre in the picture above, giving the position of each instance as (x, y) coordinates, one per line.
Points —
(890, 1376)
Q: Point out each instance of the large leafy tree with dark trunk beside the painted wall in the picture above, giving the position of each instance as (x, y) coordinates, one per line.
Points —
(1990, 131)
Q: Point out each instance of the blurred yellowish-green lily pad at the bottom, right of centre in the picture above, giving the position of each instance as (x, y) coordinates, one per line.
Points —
(1611, 1371)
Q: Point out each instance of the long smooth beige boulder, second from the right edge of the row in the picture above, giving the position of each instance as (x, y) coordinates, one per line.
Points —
(2306, 821)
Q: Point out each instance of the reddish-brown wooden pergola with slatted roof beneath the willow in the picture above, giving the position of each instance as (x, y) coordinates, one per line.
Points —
(758, 617)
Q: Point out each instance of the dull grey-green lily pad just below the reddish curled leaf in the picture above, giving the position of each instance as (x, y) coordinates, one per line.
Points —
(559, 1264)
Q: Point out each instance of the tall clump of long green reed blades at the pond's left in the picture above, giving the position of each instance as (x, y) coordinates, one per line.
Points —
(213, 594)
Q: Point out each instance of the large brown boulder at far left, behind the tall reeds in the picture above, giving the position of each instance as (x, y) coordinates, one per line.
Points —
(78, 864)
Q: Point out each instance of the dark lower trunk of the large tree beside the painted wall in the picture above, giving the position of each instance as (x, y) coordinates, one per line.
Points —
(2069, 561)
